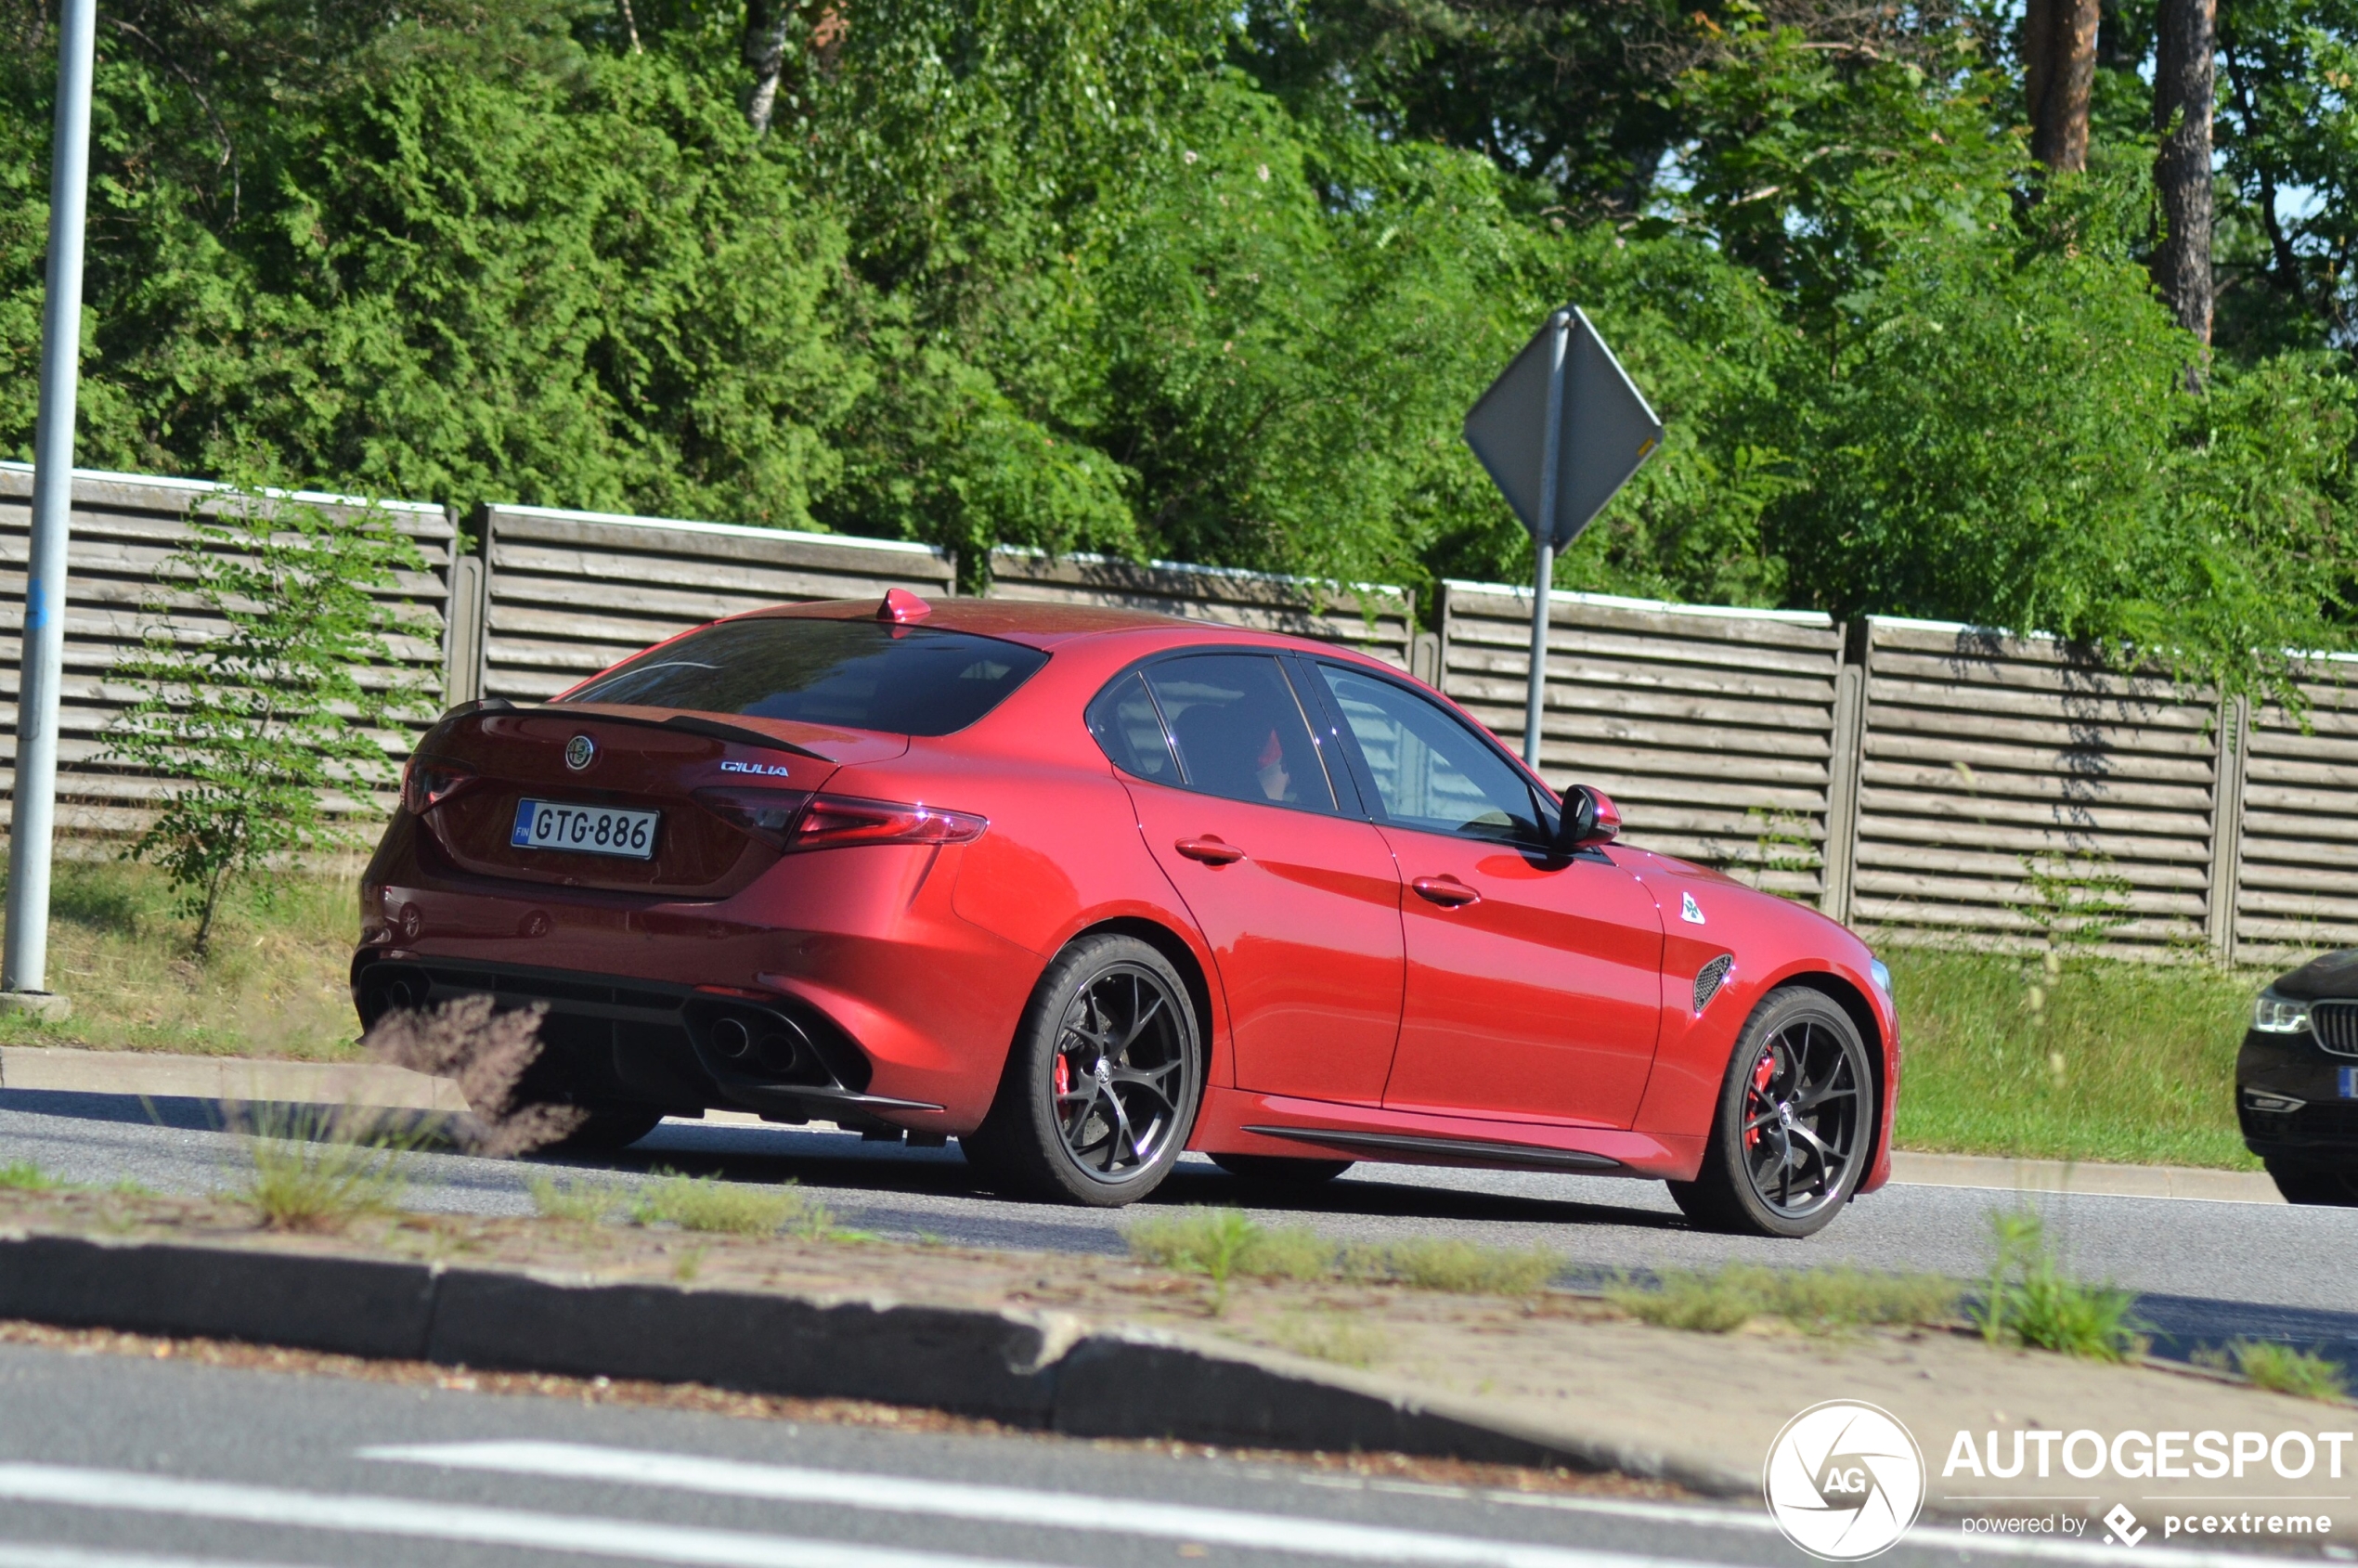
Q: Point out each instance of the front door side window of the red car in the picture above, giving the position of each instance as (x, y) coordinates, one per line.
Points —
(1430, 772)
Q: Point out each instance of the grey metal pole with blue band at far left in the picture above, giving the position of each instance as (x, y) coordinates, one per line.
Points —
(27, 956)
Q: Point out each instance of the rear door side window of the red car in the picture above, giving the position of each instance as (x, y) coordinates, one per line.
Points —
(1239, 730)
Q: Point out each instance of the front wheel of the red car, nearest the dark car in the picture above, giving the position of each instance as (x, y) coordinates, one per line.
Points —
(1796, 1124)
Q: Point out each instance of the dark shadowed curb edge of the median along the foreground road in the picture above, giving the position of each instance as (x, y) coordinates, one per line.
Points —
(1036, 1371)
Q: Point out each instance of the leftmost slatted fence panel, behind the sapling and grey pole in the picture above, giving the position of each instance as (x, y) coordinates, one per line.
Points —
(124, 529)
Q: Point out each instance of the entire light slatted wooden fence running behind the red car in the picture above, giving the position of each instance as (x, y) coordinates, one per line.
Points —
(1918, 779)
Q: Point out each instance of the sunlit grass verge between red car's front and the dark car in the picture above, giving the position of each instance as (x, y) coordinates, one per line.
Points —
(2105, 1060)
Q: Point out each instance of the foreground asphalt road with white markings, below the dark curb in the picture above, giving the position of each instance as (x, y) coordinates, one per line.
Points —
(126, 1463)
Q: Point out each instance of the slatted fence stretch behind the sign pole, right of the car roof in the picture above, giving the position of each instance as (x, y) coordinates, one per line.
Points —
(1939, 784)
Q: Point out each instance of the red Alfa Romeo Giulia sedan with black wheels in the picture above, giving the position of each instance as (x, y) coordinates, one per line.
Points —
(1088, 888)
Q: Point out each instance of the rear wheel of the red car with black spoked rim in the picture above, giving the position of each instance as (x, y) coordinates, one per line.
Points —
(1102, 1083)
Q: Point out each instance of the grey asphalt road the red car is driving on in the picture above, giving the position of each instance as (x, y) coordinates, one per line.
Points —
(2206, 1270)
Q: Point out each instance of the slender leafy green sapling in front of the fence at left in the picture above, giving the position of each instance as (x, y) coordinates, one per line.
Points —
(263, 711)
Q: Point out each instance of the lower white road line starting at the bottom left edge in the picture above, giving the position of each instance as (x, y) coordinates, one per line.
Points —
(456, 1522)
